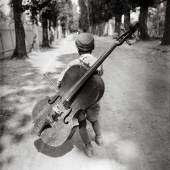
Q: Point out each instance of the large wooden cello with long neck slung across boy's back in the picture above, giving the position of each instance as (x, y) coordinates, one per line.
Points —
(80, 89)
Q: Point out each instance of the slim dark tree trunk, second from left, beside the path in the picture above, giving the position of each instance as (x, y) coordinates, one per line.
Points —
(45, 41)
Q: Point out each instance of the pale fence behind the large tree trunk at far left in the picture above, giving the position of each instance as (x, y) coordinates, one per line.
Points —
(7, 37)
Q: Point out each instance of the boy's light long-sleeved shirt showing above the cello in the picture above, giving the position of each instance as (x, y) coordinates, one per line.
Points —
(86, 60)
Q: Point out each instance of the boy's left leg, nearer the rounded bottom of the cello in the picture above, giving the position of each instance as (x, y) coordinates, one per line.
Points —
(85, 138)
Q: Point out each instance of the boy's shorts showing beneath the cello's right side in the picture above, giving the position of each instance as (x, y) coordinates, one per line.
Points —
(91, 114)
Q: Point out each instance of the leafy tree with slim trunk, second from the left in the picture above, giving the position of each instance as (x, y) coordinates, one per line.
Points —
(49, 12)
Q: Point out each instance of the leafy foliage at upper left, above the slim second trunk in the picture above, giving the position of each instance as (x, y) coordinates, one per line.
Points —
(52, 10)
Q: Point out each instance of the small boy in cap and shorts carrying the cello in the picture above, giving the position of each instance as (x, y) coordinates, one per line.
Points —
(85, 46)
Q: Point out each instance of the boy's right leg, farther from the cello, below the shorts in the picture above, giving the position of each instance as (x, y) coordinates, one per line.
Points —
(97, 131)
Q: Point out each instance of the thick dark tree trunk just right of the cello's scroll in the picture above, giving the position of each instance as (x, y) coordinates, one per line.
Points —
(143, 23)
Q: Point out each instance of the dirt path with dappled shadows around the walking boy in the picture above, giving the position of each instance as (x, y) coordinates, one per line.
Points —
(134, 112)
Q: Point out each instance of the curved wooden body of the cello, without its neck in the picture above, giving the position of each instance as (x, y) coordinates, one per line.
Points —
(51, 128)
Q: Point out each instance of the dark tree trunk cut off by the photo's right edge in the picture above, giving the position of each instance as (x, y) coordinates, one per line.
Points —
(166, 35)
